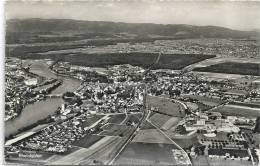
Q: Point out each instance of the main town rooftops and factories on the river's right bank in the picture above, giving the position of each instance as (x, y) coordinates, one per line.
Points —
(121, 89)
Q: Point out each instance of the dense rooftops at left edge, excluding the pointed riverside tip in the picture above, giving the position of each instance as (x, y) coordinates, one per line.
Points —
(18, 90)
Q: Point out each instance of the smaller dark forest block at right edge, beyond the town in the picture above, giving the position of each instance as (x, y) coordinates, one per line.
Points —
(233, 68)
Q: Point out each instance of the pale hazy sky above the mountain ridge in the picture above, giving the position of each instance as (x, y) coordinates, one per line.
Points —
(235, 15)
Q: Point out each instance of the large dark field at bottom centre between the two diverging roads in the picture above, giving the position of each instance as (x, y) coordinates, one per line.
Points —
(147, 154)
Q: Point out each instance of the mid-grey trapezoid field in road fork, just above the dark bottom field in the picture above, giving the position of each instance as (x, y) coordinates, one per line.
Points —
(151, 136)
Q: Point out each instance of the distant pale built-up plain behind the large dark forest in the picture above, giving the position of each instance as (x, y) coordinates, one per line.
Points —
(222, 47)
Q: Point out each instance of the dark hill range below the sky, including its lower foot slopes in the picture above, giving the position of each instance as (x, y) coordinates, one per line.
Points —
(17, 29)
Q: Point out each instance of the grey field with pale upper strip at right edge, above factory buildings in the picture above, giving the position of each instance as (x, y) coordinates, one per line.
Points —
(238, 110)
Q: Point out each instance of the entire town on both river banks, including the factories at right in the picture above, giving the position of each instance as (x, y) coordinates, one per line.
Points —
(110, 102)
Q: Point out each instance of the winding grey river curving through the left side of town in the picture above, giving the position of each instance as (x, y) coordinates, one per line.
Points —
(40, 110)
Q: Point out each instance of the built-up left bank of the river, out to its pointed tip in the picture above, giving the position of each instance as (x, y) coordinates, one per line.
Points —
(24, 87)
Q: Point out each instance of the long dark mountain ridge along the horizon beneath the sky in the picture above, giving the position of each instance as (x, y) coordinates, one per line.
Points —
(144, 29)
